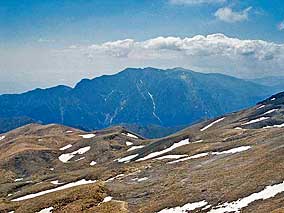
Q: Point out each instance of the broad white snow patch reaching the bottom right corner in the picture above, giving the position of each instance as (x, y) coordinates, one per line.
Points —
(236, 206)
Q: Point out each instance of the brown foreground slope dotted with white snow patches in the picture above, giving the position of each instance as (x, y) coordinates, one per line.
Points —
(228, 164)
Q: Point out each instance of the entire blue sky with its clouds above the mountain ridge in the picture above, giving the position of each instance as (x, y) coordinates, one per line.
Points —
(51, 42)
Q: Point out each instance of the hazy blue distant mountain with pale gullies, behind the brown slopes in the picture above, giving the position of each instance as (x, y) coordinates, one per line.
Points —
(143, 97)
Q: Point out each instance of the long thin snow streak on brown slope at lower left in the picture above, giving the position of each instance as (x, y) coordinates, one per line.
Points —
(66, 186)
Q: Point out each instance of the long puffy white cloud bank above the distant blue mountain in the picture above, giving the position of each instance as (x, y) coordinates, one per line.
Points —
(201, 46)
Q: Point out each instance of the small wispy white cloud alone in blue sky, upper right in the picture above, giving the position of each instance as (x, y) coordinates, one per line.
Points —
(226, 14)
